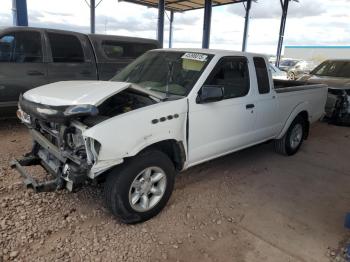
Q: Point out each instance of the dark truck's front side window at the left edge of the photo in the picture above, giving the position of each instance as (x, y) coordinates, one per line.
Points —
(21, 47)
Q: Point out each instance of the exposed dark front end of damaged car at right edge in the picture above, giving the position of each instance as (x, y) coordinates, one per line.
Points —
(338, 106)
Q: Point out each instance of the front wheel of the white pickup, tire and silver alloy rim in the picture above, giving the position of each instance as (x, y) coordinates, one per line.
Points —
(135, 180)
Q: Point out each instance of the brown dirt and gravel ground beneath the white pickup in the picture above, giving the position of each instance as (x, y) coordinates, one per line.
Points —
(254, 205)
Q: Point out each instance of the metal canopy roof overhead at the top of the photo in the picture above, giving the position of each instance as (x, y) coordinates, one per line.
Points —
(182, 5)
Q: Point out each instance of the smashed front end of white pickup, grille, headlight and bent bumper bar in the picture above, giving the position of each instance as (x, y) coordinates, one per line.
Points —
(58, 144)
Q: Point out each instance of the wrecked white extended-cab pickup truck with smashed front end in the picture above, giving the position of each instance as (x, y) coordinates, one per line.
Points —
(165, 112)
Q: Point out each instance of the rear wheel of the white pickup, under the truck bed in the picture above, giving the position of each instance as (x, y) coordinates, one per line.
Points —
(289, 144)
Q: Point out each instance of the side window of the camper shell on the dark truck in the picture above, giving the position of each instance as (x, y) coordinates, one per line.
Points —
(116, 49)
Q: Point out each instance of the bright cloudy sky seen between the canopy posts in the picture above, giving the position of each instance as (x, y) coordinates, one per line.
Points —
(310, 22)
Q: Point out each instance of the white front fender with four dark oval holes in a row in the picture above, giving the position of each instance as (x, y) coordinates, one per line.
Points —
(127, 134)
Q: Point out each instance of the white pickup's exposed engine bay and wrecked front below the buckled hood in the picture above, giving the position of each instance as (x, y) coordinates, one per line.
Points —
(59, 145)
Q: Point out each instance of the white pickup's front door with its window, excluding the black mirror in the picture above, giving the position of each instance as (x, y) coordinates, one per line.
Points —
(220, 127)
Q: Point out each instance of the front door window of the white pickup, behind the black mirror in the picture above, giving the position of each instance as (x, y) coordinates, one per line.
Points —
(233, 75)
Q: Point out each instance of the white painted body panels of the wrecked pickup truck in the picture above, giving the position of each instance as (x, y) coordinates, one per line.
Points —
(215, 129)
